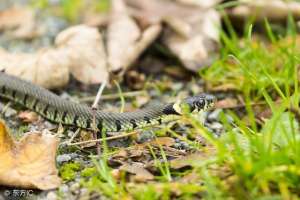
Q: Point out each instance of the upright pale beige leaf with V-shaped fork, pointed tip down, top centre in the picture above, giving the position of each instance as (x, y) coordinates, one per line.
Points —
(125, 39)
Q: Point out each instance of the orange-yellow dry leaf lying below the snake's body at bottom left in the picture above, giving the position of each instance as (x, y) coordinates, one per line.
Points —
(30, 162)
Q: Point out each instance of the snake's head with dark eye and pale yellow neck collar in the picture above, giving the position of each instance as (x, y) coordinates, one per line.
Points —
(195, 103)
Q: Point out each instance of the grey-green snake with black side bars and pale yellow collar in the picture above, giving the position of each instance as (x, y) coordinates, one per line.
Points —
(59, 110)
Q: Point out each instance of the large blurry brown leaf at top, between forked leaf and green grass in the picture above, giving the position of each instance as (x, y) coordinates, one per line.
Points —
(194, 32)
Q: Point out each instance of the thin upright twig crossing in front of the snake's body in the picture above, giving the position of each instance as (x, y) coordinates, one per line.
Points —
(94, 109)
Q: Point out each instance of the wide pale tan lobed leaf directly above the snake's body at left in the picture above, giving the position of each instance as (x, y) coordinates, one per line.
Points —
(79, 50)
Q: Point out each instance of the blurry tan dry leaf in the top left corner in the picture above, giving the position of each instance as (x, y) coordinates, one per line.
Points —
(22, 20)
